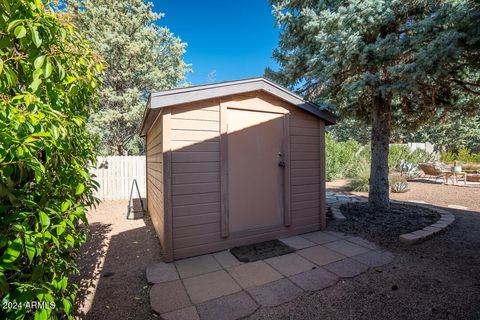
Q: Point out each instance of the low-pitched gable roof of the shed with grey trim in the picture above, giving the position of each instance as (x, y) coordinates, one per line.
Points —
(168, 98)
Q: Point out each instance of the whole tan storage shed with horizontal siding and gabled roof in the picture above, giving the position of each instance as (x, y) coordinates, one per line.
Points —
(233, 163)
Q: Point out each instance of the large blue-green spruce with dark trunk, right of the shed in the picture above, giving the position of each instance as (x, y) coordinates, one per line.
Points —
(389, 63)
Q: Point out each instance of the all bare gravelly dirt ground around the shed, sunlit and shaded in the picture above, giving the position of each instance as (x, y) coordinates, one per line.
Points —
(439, 279)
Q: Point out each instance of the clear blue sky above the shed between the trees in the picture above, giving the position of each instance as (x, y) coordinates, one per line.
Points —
(227, 40)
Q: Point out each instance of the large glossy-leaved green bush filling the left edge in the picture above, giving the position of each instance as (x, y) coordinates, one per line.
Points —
(48, 81)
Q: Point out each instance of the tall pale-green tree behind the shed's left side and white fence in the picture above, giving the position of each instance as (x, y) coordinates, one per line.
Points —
(141, 57)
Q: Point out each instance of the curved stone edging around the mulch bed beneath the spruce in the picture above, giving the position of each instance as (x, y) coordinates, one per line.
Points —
(418, 236)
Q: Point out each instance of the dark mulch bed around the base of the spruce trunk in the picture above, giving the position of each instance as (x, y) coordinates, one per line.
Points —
(384, 227)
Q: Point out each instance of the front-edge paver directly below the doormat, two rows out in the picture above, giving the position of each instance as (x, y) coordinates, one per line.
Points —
(275, 293)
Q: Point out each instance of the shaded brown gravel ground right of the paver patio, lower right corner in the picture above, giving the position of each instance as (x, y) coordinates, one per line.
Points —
(438, 279)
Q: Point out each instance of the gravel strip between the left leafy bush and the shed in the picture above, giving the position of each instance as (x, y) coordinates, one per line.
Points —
(112, 265)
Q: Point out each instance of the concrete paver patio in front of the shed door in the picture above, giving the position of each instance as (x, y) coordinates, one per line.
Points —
(217, 286)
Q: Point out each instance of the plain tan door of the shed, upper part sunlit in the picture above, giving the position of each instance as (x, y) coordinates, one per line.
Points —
(255, 179)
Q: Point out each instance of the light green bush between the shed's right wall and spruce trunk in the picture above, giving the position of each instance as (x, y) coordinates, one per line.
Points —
(340, 157)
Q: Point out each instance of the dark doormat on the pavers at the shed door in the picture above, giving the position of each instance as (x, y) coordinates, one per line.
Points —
(261, 250)
